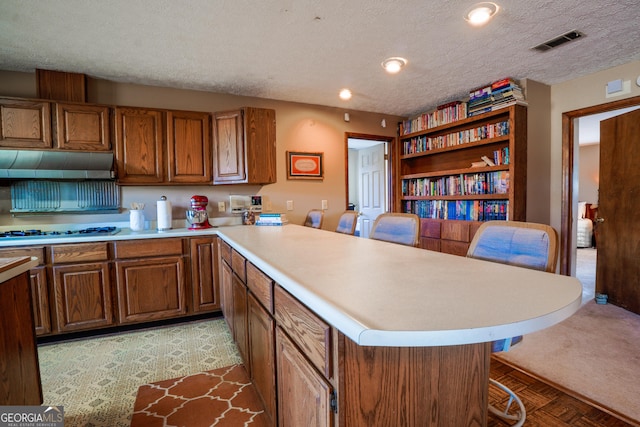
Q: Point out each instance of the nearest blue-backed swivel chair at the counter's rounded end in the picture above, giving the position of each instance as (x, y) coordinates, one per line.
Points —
(522, 244)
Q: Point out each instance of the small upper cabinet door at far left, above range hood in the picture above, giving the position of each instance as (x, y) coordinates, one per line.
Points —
(25, 124)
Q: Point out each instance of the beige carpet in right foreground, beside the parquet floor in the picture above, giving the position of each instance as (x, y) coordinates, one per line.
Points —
(595, 353)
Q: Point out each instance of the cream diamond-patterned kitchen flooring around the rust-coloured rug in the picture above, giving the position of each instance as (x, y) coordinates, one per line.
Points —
(96, 379)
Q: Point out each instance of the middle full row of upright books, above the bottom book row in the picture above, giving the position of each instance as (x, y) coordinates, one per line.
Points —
(458, 185)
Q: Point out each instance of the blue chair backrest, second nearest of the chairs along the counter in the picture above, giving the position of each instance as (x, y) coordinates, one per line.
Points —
(402, 228)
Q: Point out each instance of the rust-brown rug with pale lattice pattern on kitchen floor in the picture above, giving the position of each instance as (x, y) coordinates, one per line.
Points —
(223, 397)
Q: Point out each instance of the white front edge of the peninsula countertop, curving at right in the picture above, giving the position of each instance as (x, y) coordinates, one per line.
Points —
(365, 336)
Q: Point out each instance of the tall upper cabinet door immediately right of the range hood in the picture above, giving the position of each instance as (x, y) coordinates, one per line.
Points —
(139, 146)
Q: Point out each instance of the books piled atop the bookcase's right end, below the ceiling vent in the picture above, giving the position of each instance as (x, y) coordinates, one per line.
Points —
(498, 94)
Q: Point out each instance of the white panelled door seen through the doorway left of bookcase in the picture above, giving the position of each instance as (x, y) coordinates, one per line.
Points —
(372, 200)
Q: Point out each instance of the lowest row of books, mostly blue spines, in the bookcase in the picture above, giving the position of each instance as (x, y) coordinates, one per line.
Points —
(468, 210)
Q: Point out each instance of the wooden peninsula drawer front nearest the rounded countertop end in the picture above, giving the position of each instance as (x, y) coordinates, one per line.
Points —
(306, 329)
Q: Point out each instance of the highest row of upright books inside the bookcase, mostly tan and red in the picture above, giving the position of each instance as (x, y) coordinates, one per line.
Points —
(423, 143)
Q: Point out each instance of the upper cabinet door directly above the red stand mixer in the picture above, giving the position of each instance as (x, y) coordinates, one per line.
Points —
(189, 147)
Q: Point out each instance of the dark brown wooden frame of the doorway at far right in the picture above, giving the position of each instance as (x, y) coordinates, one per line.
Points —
(568, 158)
